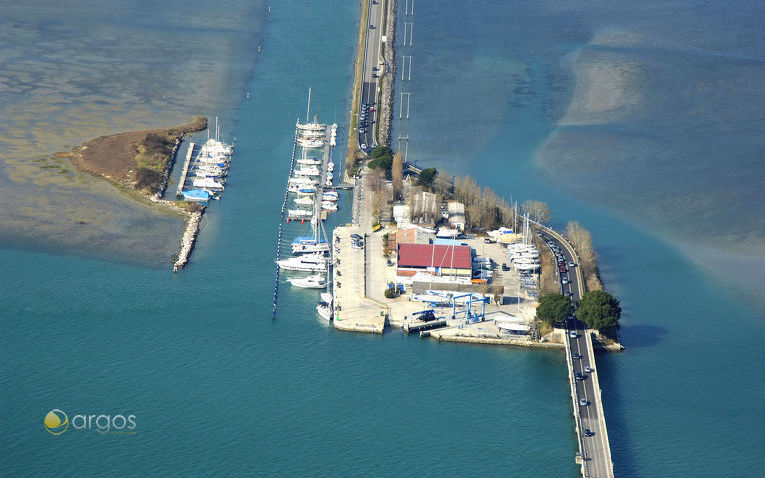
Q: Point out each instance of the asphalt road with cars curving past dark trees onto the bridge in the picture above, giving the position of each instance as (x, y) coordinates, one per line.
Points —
(594, 449)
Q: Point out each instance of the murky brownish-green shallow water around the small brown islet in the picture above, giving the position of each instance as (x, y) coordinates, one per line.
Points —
(72, 72)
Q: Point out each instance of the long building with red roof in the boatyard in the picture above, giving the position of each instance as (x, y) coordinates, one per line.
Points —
(435, 259)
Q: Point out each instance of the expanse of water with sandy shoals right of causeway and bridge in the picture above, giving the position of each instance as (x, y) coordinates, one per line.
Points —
(599, 109)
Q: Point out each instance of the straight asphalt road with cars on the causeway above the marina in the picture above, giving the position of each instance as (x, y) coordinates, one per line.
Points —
(371, 69)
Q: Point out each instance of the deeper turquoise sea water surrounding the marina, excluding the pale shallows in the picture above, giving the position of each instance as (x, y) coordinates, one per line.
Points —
(218, 388)
